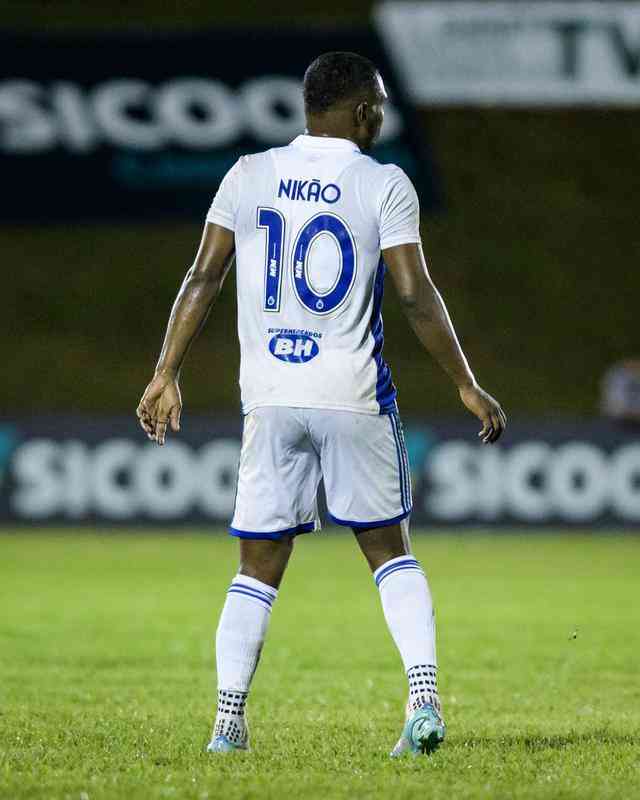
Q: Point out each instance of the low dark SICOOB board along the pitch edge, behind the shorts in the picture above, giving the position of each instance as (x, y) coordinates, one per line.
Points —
(78, 470)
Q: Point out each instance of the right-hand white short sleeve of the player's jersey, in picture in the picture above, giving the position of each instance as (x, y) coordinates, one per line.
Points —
(399, 211)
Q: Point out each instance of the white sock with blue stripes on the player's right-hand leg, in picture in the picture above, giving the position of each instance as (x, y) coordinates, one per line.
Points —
(408, 610)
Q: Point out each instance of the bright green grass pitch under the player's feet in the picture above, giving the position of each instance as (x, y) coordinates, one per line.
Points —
(107, 670)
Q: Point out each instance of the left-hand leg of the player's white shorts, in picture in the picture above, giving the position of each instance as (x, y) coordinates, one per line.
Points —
(278, 476)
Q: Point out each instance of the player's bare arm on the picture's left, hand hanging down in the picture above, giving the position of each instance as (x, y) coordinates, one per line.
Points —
(161, 402)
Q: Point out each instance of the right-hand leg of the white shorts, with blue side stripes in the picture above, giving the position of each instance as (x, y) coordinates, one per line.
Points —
(364, 466)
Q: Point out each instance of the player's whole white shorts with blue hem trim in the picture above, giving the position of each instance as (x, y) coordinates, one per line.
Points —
(286, 451)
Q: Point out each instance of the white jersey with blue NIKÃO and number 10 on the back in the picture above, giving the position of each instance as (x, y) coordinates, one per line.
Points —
(310, 220)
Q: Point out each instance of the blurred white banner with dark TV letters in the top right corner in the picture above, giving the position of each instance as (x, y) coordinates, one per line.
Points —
(515, 54)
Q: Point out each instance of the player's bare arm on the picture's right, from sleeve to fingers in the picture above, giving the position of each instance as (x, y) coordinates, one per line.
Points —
(428, 316)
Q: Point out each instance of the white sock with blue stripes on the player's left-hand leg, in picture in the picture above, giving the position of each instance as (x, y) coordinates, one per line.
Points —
(239, 639)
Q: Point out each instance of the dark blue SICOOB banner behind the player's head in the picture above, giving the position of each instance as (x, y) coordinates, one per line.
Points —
(144, 126)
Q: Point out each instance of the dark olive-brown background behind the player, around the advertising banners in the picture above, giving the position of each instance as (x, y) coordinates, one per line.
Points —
(535, 250)
